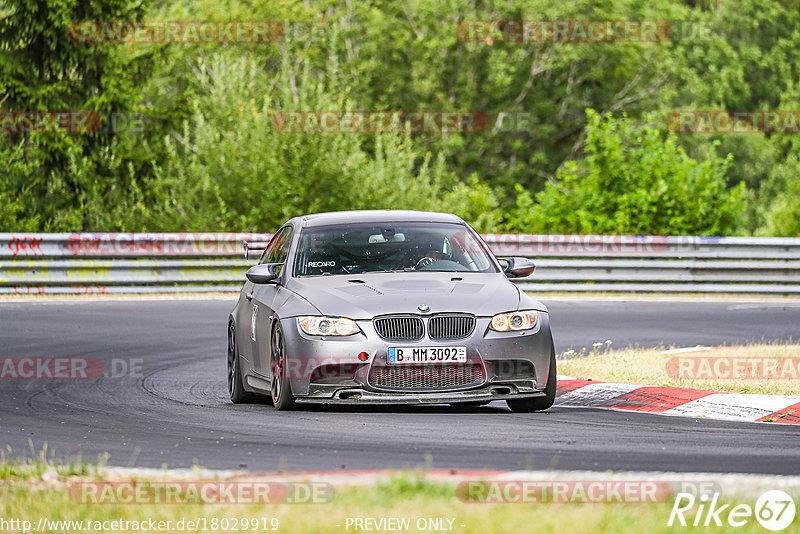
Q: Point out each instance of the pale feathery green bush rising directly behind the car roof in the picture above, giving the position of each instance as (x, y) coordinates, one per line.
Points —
(230, 167)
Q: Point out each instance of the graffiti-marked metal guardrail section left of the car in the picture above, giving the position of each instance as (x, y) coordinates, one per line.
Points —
(99, 263)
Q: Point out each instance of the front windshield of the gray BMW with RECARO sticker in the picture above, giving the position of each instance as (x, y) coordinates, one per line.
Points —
(374, 247)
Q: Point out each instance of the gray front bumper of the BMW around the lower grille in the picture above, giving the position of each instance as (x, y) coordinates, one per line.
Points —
(485, 347)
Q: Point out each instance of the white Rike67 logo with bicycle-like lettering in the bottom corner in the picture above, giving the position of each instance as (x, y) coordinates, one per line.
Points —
(774, 510)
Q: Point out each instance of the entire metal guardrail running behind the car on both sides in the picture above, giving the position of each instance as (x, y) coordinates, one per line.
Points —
(193, 262)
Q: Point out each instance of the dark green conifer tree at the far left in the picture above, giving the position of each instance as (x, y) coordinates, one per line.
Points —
(43, 68)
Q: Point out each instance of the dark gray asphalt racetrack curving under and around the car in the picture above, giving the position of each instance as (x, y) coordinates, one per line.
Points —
(174, 409)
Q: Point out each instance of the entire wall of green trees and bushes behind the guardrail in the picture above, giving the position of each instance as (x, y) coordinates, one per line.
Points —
(210, 158)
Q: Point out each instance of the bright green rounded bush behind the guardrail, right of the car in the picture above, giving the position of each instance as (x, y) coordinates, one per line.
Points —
(632, 181)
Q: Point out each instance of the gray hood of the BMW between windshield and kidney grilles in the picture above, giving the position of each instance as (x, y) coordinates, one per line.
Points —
(364, 296)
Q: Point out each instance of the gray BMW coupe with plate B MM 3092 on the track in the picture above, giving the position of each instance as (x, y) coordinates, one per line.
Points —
(403, 307)
